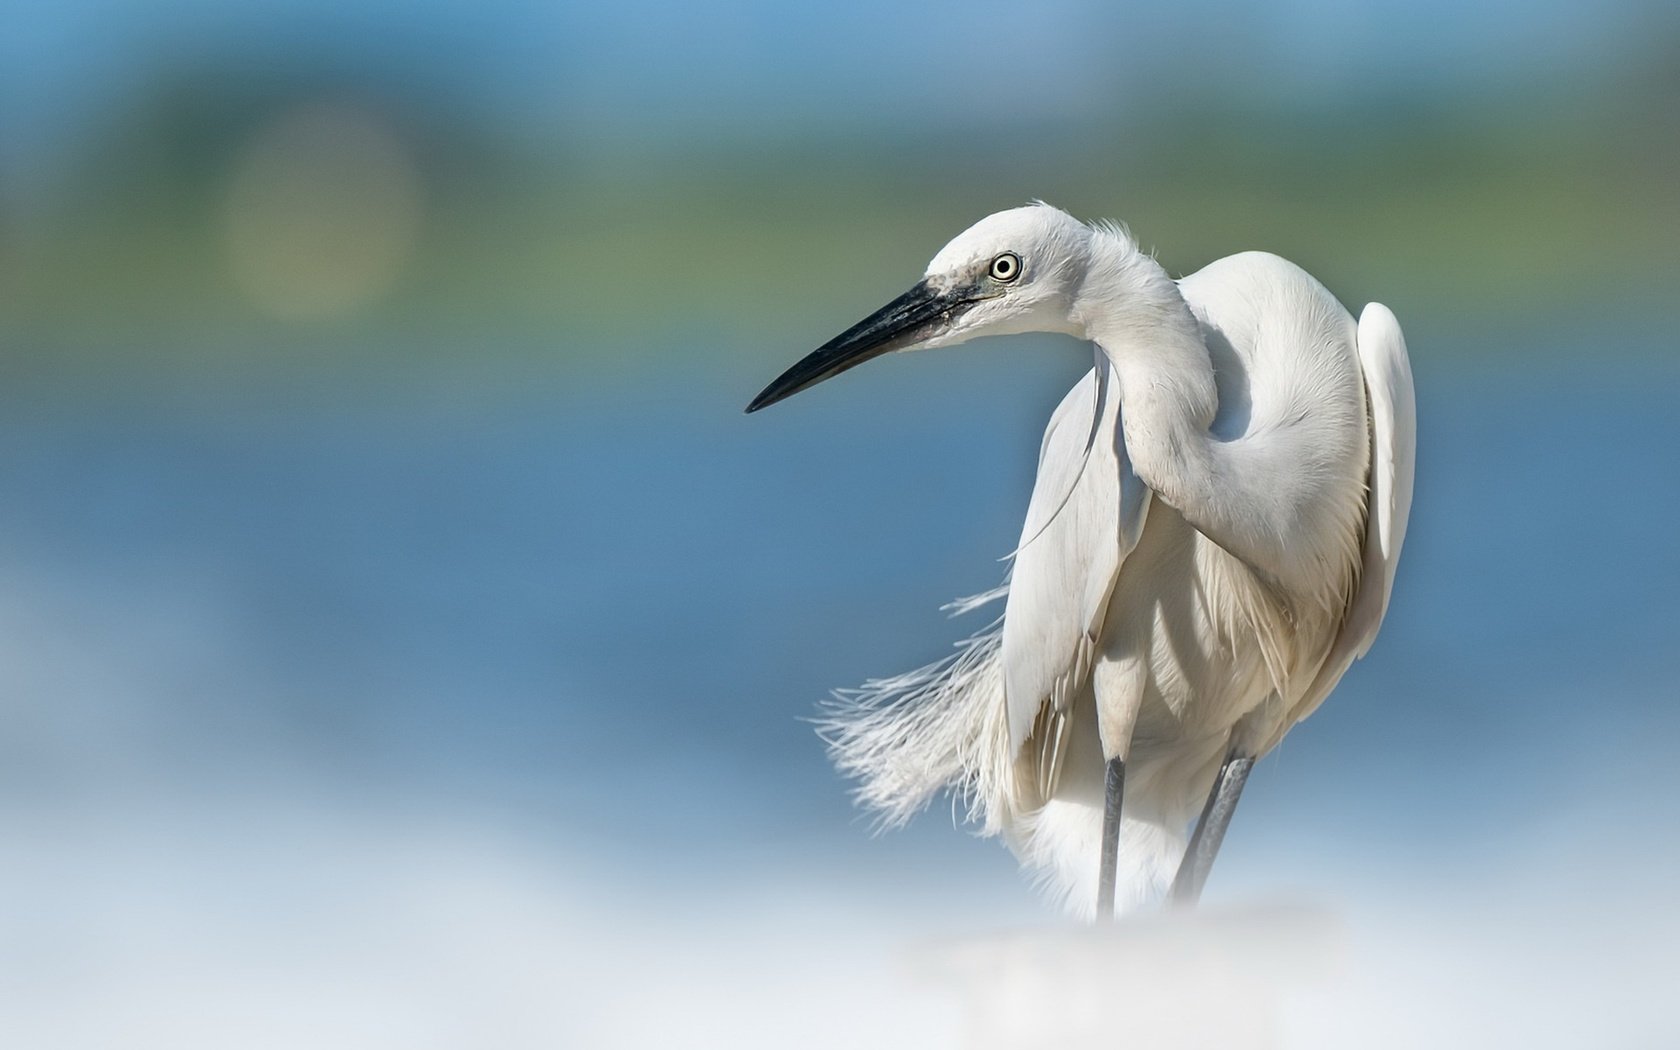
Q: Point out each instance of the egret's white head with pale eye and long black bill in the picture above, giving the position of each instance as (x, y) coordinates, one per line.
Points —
(1011, 273)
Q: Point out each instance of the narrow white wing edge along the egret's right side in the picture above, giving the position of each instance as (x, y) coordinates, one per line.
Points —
(1389, 501)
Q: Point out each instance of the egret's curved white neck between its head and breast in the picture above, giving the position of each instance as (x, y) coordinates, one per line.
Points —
(1133, 310)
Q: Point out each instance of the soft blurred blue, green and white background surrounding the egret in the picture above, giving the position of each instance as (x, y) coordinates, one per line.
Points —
(406, 639)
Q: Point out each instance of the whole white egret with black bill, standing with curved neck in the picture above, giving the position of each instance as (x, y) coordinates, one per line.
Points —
(1210, 543)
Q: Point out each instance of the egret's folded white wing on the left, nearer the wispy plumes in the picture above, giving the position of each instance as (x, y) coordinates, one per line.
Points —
(1084, 518)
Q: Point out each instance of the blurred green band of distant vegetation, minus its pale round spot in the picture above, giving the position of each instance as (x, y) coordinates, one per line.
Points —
(607, 255)
